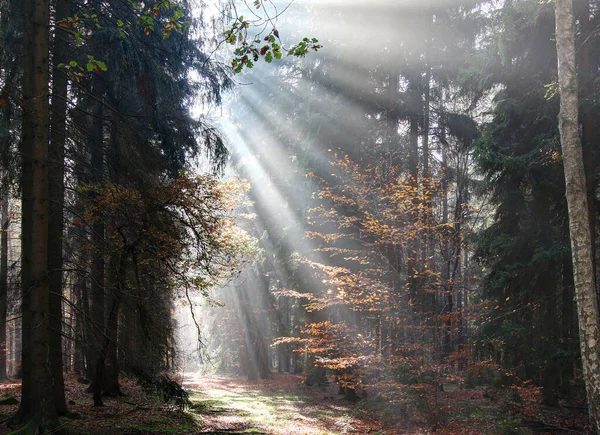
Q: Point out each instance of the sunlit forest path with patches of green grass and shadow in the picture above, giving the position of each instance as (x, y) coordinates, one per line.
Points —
(279, 405)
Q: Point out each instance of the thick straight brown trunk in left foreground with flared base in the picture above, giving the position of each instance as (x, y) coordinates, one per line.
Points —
(37, 406)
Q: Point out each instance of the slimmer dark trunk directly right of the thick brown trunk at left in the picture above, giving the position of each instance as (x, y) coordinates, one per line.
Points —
(56, 205)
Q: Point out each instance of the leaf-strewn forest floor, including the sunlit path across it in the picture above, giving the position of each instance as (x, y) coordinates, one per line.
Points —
(283, 405)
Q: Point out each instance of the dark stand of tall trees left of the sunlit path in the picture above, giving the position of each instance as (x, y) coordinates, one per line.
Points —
(103, 120)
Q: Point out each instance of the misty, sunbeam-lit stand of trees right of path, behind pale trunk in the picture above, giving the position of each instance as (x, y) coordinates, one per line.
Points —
(438, 217)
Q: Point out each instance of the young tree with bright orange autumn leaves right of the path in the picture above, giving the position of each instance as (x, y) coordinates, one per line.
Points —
(383, 259)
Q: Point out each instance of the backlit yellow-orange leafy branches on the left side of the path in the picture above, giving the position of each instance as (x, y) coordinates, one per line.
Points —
(183, 227)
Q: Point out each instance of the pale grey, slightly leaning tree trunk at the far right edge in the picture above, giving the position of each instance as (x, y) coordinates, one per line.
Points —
(579, 225)
